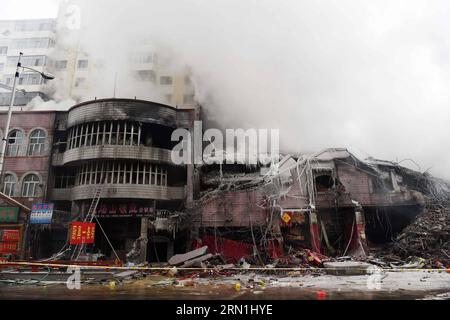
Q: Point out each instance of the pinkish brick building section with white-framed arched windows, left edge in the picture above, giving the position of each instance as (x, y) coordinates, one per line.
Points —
(25, 175)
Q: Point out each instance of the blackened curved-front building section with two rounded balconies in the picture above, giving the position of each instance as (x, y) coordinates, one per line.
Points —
(112, 157)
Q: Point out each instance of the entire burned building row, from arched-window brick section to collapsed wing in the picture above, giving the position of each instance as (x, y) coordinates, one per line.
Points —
(110, 160)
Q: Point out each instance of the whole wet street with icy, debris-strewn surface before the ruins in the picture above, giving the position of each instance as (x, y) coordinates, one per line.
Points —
(305, 288)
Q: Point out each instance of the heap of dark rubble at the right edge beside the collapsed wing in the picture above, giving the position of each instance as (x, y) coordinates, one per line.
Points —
(428, 236)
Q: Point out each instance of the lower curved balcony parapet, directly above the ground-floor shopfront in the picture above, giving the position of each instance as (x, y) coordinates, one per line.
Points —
(127, 191)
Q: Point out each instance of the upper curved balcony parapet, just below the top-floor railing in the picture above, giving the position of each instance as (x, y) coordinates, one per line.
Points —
(112, 152)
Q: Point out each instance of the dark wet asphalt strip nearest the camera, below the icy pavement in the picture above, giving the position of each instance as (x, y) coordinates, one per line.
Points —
(197, 293)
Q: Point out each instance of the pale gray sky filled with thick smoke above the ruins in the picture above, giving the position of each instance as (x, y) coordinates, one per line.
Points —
(370, 75)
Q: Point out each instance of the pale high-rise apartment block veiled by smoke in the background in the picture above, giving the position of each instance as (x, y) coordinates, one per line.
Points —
(55, 46)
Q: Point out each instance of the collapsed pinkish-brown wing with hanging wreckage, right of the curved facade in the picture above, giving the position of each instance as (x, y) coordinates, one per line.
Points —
(331, 202)
